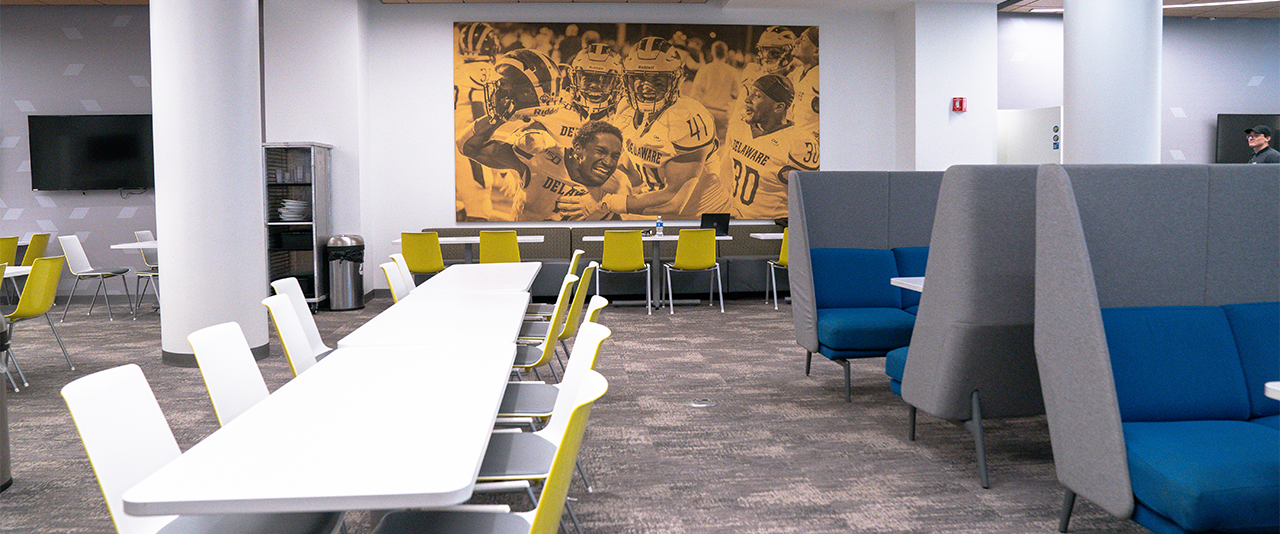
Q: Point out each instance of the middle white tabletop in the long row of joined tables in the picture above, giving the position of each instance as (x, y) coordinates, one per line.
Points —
(431, 318)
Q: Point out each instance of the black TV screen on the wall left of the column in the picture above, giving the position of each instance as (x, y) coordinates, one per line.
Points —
(89, 153)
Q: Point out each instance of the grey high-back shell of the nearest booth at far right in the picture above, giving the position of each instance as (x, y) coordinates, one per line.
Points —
(1112, 236)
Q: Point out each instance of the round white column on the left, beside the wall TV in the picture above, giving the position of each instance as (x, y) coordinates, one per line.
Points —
(209, 170)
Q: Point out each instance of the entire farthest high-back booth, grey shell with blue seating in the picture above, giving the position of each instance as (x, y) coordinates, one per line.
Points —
(851, 234)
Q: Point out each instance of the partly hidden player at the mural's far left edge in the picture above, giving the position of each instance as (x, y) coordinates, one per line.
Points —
(477, 45)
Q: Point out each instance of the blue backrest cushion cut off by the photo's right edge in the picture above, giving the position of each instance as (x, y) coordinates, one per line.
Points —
(1258, 335)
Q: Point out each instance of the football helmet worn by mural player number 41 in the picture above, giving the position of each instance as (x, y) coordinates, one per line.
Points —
(651, 75)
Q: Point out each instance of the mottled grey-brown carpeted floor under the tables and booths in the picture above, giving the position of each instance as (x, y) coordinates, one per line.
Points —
(779, 453)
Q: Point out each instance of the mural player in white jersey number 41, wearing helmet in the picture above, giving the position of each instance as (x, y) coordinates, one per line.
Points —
(670, 143)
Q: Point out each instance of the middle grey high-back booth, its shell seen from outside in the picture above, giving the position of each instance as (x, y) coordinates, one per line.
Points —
(971, 355)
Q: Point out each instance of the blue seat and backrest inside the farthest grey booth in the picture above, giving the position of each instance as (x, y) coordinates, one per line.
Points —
(860, 313)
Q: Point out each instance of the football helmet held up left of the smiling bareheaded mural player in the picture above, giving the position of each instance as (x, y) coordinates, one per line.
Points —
(523, 79)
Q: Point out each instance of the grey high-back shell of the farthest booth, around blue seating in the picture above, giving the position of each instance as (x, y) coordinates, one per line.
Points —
(845, 209)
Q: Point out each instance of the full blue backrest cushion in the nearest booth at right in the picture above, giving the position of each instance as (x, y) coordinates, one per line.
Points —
(1176, 364)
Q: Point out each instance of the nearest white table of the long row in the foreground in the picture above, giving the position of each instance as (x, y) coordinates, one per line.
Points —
(363, 430)
